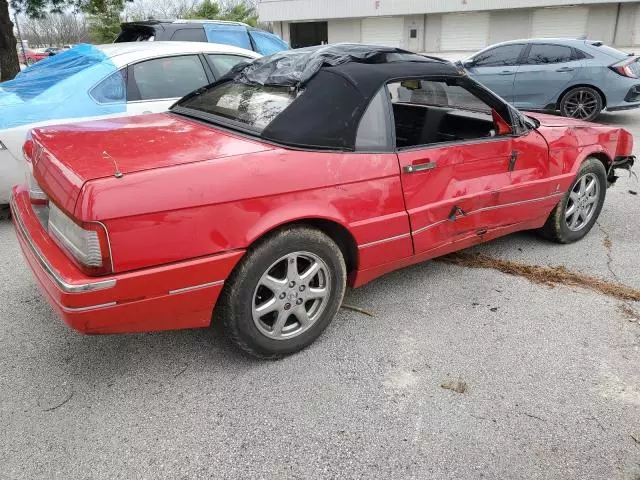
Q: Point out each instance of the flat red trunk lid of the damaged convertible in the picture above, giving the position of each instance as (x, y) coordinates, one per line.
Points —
(65, 157)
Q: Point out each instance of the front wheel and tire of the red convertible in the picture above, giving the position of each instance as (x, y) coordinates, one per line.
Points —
(562, 226)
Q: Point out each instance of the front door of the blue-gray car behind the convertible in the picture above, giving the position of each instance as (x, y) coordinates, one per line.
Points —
(496, 68)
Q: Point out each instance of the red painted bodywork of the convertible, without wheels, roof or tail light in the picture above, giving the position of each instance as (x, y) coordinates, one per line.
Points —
(193, 198)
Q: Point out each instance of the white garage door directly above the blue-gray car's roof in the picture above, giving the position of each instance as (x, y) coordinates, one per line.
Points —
(560, 22)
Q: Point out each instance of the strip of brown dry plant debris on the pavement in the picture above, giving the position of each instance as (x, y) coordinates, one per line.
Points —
(544, 275)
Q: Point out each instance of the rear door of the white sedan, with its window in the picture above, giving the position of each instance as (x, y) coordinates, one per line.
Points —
(154, 85)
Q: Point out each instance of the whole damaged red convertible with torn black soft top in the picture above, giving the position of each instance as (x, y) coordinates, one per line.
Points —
(255, 200)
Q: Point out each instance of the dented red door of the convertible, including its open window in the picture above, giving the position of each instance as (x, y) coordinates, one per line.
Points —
(454, 161)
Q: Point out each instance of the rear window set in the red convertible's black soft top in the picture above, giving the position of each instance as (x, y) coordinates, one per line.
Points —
(255, 106)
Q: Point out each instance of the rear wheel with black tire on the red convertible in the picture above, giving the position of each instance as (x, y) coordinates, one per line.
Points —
(264, 301)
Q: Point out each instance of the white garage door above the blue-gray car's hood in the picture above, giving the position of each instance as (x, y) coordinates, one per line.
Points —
(464, 31)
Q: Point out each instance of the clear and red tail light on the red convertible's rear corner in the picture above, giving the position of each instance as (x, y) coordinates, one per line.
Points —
(86, 243)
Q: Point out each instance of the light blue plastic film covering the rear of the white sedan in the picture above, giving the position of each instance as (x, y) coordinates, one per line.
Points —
(80, 82)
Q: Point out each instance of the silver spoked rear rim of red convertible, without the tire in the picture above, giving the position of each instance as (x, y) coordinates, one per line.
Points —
(291, 295)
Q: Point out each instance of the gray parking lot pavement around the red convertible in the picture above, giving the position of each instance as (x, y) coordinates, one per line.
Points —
(552, 378)
